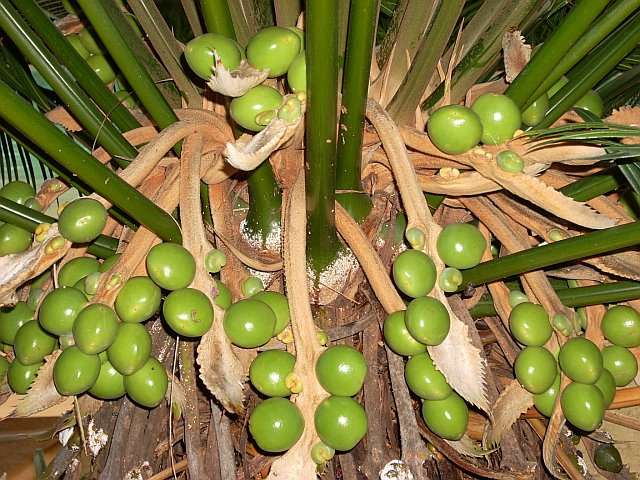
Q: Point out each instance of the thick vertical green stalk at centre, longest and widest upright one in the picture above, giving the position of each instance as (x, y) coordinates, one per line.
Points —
(322, 90)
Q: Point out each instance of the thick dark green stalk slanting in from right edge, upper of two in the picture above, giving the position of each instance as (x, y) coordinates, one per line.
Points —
(594, 243)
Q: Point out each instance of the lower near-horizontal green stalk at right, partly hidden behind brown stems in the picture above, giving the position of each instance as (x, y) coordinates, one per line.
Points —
(613, 292)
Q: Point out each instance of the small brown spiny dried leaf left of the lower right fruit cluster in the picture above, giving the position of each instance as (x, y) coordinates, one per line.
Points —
(512, 402)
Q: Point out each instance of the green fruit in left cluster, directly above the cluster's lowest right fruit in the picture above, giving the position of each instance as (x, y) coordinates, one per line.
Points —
(131, 348)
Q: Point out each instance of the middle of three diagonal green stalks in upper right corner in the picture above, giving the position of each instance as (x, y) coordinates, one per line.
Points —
(609, 21)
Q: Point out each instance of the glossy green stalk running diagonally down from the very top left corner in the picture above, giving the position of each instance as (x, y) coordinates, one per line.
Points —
(63, 83)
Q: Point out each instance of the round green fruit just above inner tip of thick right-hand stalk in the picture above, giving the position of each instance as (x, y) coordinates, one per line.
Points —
(461, 245)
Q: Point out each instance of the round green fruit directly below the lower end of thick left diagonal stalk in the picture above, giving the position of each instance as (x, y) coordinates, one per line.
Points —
(171, 266)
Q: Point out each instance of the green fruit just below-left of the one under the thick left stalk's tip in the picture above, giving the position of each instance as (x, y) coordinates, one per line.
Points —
(138, 300)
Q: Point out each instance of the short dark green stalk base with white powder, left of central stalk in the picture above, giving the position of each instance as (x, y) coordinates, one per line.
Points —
(265, 202)
